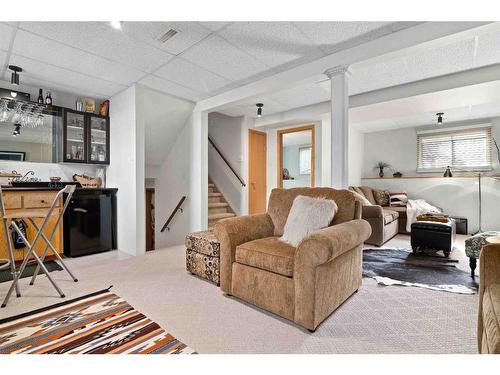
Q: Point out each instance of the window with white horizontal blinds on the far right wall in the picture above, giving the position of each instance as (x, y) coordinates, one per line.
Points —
(463, 149)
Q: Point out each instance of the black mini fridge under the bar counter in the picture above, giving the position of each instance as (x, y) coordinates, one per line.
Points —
(89, 222)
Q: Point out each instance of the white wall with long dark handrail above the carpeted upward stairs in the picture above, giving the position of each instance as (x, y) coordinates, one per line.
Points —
(231, 136)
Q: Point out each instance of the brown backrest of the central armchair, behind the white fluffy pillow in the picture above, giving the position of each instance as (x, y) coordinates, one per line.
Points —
(281, 200)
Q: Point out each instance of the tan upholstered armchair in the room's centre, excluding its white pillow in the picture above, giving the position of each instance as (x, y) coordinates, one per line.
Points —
(304, 284)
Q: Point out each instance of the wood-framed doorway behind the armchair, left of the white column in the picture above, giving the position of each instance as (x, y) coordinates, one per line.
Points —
(296, 157)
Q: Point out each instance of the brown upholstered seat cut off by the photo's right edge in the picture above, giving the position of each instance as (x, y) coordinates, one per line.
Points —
(489, 300)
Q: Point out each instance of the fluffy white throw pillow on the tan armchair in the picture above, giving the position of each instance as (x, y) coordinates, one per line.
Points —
(306, 216)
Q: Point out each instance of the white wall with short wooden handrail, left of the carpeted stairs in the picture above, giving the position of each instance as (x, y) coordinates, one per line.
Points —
(183, 173)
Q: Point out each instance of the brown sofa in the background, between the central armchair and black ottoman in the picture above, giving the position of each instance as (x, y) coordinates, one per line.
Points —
(386, 221)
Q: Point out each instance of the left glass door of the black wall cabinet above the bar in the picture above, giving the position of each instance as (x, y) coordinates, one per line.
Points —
(74, 147)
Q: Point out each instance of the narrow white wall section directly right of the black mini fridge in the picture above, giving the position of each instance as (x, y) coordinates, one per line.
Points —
(126, 171)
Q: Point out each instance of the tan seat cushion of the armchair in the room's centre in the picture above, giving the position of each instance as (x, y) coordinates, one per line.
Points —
(268, 254)
